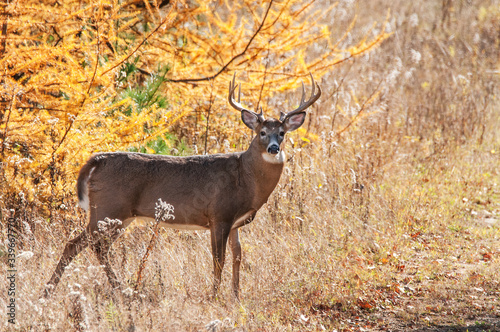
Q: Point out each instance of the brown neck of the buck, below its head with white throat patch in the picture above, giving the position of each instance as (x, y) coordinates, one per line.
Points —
(262, 171)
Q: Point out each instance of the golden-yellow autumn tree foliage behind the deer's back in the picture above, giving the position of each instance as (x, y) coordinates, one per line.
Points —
(80, 77)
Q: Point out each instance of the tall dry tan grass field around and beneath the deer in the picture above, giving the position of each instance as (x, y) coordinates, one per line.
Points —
(394, 224)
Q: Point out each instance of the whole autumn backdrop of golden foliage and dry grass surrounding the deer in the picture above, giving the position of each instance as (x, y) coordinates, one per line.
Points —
(387, 214)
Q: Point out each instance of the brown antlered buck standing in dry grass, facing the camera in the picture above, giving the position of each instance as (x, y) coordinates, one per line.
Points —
(219, 193)
